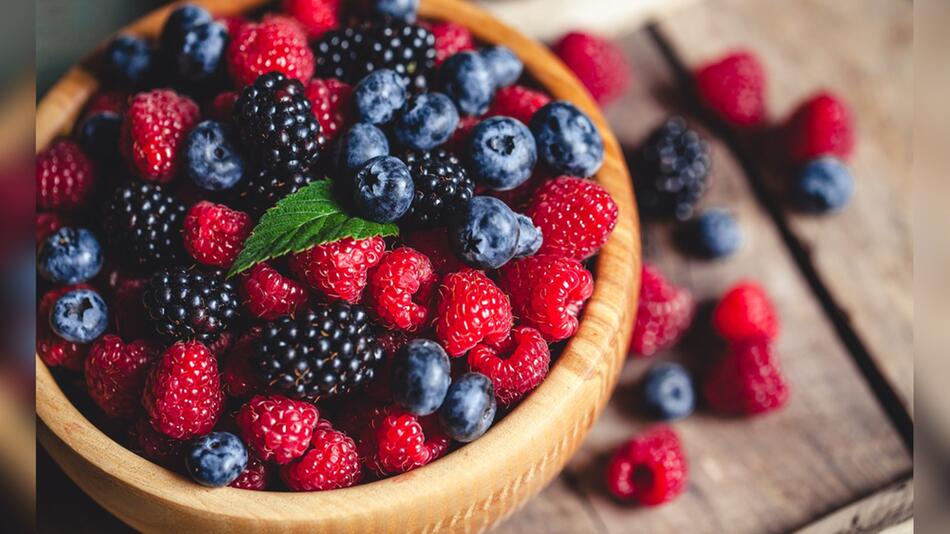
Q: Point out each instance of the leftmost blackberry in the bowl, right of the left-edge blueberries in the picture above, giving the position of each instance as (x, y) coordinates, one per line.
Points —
(144, 223)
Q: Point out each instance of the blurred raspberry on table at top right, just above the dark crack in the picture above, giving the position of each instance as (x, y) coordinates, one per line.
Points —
(733, 87)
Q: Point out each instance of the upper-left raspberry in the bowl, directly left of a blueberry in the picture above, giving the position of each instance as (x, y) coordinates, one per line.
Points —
(154, 129)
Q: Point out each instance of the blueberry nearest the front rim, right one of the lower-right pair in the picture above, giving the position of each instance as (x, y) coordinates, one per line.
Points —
(469, 407)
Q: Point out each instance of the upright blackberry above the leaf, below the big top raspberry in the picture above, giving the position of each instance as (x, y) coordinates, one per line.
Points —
(277, 124)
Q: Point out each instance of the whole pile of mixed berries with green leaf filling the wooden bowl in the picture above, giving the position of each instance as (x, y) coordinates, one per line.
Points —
(305, 223)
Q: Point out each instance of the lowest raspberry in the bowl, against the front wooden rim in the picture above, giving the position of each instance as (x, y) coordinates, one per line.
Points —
(332, 462)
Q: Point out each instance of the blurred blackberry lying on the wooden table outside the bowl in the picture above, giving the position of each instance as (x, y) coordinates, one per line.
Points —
(674, 165)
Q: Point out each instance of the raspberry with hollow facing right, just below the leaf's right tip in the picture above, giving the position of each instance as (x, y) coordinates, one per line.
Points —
(400, 289)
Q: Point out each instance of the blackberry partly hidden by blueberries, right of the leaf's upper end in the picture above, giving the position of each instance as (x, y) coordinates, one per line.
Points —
(441, 187)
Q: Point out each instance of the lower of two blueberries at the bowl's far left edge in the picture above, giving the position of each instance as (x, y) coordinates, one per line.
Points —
(79, 316)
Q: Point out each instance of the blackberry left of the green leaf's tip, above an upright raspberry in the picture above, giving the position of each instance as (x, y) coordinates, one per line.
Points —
(187, 304)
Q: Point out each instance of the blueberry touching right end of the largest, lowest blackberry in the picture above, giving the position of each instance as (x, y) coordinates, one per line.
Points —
(420, 377)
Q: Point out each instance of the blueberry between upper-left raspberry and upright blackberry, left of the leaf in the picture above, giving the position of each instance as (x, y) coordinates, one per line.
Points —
(212, 160)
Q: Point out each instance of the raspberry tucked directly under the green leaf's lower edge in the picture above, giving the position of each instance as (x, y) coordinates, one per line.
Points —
(338, 270)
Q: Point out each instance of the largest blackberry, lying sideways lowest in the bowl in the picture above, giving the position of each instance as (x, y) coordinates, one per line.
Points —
(324, 352)
